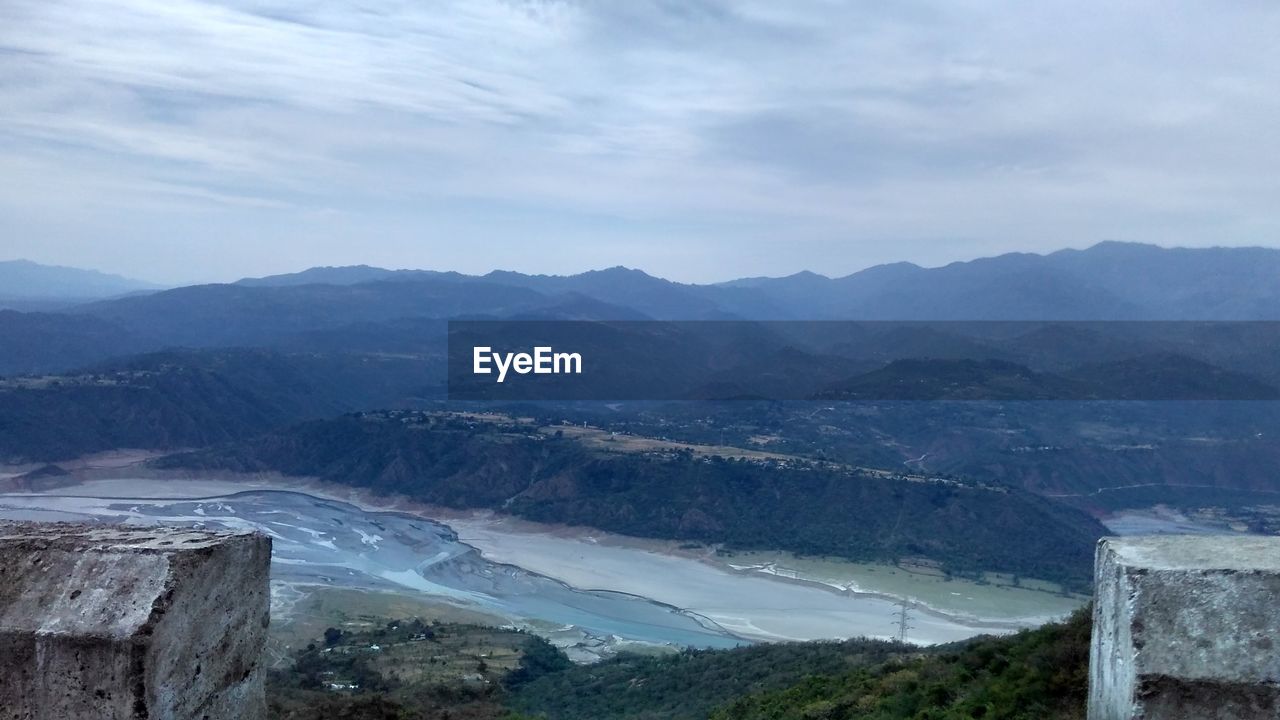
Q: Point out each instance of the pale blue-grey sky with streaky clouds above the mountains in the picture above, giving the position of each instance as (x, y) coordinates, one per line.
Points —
(701, 140)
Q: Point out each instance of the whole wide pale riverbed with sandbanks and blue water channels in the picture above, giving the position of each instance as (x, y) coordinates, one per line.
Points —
(563, 586)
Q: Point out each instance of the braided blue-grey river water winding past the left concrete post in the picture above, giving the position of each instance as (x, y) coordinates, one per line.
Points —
(328, 543)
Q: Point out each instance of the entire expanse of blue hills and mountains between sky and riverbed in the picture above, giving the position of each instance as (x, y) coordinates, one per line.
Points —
(254, 376)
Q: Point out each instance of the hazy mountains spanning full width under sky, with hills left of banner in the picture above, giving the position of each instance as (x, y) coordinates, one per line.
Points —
(1110, 281)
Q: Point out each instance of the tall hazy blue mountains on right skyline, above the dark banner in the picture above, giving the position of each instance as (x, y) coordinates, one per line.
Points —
(1112, 281)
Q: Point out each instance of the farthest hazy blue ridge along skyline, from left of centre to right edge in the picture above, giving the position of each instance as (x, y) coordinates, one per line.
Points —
(1112, 281)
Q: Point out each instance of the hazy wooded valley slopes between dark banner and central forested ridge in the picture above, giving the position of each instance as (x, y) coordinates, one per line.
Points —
(1064, 450)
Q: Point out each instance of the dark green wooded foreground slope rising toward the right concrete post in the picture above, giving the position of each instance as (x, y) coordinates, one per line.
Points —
(1039, 675)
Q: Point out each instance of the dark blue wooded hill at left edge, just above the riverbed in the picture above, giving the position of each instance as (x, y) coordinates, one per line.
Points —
(185, 399)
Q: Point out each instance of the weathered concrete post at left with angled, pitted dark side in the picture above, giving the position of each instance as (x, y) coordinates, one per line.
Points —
(104, 622)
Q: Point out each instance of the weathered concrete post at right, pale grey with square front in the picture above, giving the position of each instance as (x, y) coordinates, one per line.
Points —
(1186, 627)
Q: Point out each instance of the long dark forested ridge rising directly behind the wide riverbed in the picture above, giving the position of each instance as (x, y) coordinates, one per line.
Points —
(798, 505)
